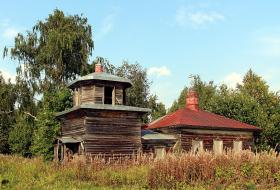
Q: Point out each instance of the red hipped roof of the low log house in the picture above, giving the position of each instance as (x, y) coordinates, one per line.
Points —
(199, 119)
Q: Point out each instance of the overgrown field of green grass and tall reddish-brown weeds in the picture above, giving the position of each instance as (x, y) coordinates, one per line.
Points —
(244, 170)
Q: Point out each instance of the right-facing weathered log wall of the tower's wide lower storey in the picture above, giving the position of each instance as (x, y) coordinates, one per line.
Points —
(112, 132)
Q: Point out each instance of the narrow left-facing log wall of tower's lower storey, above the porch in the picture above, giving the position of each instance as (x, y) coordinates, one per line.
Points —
(73, 127)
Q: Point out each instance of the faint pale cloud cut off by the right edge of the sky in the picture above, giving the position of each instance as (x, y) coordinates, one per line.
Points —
(270, 45)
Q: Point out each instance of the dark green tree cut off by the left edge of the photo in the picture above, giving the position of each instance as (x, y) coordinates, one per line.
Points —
(7, 102)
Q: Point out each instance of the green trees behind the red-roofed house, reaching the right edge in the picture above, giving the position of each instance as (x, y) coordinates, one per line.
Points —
(251, 102)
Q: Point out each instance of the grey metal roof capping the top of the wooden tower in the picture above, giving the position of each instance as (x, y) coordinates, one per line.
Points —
(103, 76)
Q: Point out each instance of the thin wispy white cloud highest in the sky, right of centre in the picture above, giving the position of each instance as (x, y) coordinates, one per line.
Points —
(184, 17)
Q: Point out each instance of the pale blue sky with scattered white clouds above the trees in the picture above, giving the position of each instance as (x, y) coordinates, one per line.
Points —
(218, 40)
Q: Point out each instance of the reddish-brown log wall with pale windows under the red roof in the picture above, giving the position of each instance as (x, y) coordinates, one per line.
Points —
(187, 137)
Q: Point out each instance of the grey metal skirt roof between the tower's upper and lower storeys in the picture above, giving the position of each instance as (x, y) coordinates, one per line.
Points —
(104, 107)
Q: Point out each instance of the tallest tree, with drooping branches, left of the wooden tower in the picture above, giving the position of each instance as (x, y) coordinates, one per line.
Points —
(54, 52)
